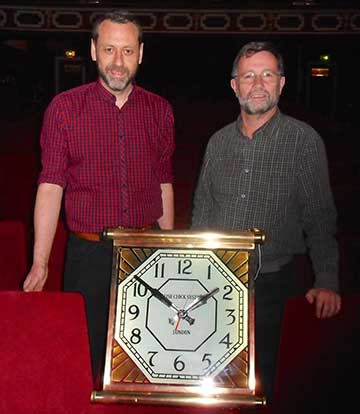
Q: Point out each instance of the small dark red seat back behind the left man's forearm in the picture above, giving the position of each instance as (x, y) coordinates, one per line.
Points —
(13, 255)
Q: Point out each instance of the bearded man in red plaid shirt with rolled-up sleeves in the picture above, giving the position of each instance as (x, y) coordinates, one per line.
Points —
(107, 148)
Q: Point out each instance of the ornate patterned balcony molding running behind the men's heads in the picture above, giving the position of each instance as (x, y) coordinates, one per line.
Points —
(274, 22)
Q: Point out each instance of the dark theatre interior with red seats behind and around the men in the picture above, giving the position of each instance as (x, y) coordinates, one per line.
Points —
(188, 53)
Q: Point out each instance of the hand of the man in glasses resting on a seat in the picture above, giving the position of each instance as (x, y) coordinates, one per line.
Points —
(327, 302)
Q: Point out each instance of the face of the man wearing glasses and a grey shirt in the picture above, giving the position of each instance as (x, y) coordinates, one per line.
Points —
(258, 84)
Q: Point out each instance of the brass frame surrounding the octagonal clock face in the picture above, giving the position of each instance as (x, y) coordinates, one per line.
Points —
(132, 387)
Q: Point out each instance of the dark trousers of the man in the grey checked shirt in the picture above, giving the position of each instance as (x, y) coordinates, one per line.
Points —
(271, 293)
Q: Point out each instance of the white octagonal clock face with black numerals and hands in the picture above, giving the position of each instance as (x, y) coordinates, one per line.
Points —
(182, 316)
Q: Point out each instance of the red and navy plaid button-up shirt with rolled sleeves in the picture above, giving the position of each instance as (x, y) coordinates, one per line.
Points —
(110, 161)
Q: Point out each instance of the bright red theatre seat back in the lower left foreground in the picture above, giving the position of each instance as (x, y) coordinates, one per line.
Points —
(44, 353)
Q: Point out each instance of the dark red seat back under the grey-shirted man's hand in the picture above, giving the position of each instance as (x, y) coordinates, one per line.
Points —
(319, 359)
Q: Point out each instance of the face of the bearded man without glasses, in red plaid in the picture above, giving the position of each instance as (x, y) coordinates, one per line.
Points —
(117, 53)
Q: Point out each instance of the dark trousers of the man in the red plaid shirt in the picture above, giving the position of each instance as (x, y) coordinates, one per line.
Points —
(88, 271)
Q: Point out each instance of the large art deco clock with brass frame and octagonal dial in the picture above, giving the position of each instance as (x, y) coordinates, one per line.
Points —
(181, 319)
